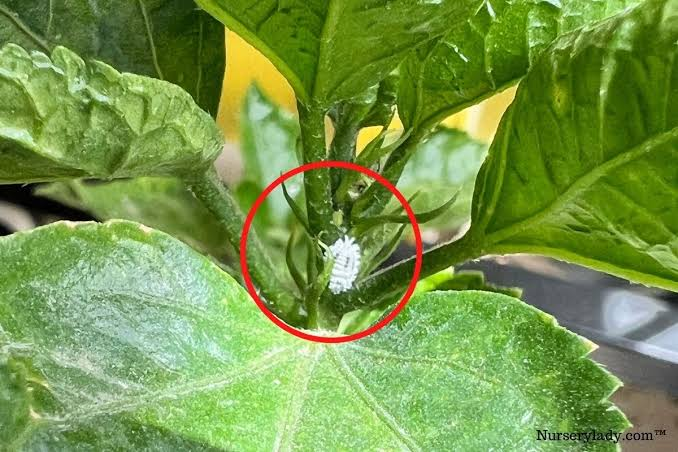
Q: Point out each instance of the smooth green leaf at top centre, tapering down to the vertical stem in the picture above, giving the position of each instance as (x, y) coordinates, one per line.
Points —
(333, 50)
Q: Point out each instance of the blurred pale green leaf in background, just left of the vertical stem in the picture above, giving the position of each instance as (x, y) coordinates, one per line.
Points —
(268, 145)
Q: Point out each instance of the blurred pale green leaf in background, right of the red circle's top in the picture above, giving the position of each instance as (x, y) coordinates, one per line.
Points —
(446, 163)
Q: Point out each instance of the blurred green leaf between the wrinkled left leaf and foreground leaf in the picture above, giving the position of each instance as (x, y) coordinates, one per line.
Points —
(160, 203)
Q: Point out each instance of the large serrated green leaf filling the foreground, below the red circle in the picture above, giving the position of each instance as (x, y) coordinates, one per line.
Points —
(117, 337)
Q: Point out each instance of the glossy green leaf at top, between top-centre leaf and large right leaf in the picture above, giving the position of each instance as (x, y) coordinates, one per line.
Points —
(490, 50)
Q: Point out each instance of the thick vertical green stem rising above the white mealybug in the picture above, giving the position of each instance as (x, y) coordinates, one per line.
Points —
(317, 184)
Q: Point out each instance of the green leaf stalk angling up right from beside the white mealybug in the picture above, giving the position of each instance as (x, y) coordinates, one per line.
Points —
(391, 282)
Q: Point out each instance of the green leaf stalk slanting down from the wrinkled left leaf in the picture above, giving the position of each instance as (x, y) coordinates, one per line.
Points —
(210, 190)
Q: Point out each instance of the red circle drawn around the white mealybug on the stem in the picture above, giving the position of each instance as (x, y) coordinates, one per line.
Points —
(248, 279)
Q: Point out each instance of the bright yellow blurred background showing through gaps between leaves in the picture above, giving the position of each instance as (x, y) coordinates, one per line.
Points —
(245, 65)
